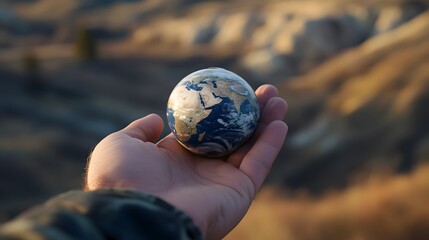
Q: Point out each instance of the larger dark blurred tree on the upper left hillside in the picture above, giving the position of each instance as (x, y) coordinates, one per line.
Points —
(85, 44)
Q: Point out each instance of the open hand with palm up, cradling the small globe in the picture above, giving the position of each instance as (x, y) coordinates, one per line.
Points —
(215, 193)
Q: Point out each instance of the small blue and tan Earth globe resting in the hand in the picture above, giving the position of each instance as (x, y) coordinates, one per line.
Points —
(212, 112)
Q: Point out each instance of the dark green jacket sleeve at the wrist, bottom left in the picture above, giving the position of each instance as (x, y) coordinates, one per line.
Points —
(103, 214)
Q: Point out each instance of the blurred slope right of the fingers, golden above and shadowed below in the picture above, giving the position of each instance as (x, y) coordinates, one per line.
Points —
(363, 109)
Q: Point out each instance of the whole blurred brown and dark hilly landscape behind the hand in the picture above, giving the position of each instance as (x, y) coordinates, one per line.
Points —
(355, 75)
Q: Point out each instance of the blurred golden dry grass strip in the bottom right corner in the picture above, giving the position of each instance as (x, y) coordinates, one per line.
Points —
(395, 207)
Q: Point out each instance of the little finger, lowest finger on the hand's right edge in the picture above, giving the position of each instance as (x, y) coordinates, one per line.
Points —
(258, 161)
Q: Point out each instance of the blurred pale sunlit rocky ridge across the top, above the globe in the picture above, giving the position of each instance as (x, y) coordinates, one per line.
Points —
(273, 39)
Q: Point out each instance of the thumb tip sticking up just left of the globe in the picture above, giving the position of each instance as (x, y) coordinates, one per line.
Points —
(147, 129)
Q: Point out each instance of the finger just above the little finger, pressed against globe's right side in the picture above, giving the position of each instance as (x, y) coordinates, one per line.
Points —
(275, 109)
